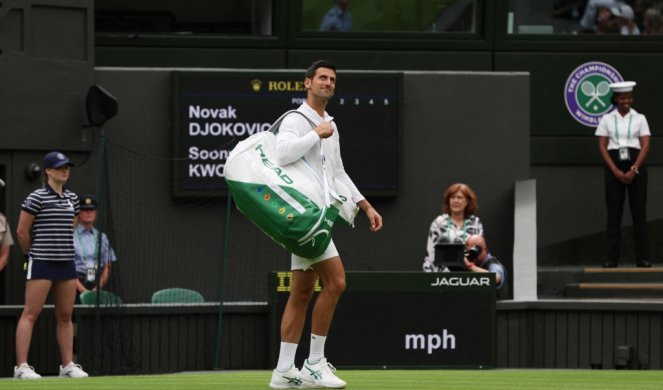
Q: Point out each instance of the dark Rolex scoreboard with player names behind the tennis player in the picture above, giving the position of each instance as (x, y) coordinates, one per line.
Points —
(213, 110)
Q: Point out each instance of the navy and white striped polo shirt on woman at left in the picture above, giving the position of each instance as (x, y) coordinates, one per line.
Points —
(53, 228)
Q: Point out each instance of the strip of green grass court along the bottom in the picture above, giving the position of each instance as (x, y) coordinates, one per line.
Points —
(367, 380)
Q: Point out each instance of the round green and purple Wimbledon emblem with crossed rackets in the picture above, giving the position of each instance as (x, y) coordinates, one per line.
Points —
(587, 91)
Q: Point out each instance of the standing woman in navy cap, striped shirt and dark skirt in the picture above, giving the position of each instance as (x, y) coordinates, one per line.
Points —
(46, 235)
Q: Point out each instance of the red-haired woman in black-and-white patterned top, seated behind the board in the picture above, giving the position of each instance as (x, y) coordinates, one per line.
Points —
(456, 223)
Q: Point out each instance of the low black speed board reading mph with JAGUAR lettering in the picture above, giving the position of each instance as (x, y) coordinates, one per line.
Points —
(402, 319)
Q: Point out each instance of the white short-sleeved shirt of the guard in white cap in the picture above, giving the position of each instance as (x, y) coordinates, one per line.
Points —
(638, 125)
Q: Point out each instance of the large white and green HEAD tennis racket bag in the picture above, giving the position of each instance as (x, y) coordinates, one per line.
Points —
(288, 203)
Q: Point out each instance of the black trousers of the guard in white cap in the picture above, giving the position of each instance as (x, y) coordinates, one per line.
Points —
(615, 194)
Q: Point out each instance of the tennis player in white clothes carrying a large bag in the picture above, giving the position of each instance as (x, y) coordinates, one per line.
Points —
(296, 140)
